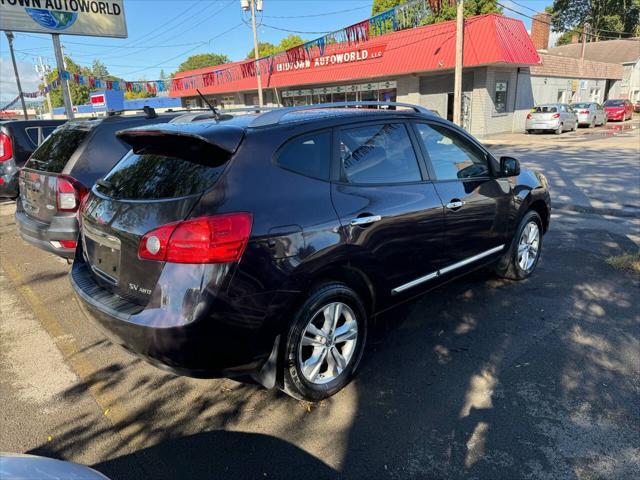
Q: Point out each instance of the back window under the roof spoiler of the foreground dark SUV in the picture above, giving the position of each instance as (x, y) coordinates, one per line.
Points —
(153, 175)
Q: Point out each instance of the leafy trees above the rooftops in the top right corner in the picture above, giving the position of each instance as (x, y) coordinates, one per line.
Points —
(607, 18)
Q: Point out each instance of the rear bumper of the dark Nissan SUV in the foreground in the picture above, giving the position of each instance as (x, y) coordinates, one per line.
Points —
(196, 332)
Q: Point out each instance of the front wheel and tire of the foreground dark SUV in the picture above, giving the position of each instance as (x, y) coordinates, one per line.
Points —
(521, 259)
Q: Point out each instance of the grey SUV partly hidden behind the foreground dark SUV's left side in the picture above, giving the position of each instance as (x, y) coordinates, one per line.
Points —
(60, 173)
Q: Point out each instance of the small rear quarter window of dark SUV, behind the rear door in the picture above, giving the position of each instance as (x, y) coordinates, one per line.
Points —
(308, 155)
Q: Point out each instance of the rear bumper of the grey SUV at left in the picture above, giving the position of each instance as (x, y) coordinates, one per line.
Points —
(42, 234)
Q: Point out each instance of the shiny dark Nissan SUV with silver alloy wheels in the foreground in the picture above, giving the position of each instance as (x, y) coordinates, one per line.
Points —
(264, 245)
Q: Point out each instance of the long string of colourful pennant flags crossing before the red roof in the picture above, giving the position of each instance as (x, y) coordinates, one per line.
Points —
(401, 17)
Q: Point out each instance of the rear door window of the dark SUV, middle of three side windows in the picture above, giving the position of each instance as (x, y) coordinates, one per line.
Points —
(378, 154)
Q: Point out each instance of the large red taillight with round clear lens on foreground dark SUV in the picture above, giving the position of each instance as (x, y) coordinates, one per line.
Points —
(211, 239)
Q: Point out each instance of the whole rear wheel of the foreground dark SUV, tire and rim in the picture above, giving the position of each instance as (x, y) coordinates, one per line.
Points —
(325, 342)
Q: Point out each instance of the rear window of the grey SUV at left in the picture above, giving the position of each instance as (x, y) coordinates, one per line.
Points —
(55, 151)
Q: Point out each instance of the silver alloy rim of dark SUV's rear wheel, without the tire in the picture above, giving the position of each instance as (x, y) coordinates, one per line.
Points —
(328, 343)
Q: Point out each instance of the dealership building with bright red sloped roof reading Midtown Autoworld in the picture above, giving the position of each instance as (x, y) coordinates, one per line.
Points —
(505, 74)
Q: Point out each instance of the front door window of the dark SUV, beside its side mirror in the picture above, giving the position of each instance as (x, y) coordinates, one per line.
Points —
(452, 156)
